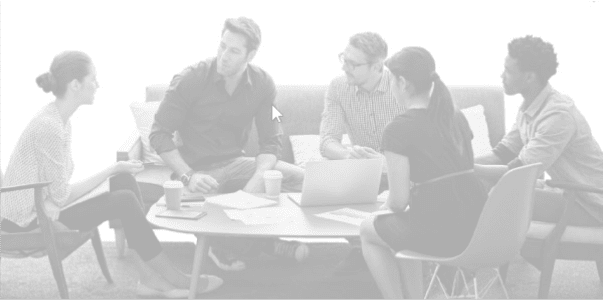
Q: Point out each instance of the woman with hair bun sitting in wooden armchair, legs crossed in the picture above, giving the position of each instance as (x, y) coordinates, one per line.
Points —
(43, 153)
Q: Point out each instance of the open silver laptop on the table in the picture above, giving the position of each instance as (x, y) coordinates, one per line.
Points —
(340, 182)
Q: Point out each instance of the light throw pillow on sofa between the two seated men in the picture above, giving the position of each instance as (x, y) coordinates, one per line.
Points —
(307, 148)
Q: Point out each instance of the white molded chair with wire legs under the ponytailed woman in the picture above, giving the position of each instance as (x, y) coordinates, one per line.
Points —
(498, 237)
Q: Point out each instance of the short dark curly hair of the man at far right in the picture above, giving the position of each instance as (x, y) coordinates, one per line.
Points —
(535, 55)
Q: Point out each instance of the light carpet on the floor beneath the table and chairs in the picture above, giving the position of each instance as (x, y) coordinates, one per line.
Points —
(266, 277)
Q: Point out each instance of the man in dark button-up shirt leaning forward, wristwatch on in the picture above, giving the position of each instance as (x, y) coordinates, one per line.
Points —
(212, 106)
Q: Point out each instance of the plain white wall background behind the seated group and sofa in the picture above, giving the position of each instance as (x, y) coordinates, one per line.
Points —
(135, 44)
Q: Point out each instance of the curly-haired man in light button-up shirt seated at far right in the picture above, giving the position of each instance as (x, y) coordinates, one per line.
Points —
(549, 129)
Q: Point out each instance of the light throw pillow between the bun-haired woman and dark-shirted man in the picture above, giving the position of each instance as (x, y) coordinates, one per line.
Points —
(144, 115)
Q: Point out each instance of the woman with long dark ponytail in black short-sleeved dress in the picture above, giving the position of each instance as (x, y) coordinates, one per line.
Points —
(429, 149)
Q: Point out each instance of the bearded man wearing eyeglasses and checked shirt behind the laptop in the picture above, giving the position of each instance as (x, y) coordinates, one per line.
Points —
(360, 104)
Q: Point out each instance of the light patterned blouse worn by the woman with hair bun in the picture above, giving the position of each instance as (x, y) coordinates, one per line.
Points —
(43, 153)
